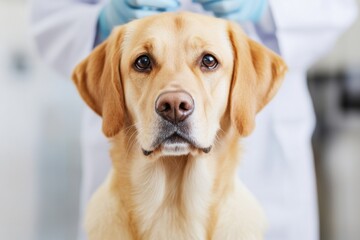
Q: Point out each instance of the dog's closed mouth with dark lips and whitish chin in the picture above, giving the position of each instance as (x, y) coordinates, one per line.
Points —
(174, 141)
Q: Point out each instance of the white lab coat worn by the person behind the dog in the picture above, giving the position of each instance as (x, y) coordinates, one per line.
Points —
(277, 164)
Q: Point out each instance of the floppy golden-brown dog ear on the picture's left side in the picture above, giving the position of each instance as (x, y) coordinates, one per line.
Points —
(97, 79)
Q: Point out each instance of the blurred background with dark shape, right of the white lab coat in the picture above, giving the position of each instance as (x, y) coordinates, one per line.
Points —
(334, 84)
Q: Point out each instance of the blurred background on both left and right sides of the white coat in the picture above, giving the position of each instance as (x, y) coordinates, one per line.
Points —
(39, 138)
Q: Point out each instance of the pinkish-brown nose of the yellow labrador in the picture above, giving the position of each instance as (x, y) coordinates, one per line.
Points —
(174, 106)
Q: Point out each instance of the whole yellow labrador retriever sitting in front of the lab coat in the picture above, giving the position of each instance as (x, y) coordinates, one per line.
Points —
(176, 91)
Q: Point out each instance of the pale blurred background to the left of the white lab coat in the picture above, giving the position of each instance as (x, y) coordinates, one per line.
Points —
(39, 138)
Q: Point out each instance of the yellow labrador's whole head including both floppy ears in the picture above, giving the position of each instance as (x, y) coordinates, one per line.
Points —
(175, 78)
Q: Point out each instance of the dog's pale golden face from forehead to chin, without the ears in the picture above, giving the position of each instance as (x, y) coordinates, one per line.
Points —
(176, 78)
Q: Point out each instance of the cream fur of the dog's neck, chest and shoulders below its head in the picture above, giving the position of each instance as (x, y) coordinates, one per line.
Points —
(173, 199)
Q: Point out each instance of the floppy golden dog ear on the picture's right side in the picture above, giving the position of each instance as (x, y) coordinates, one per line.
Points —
(257, 75)
